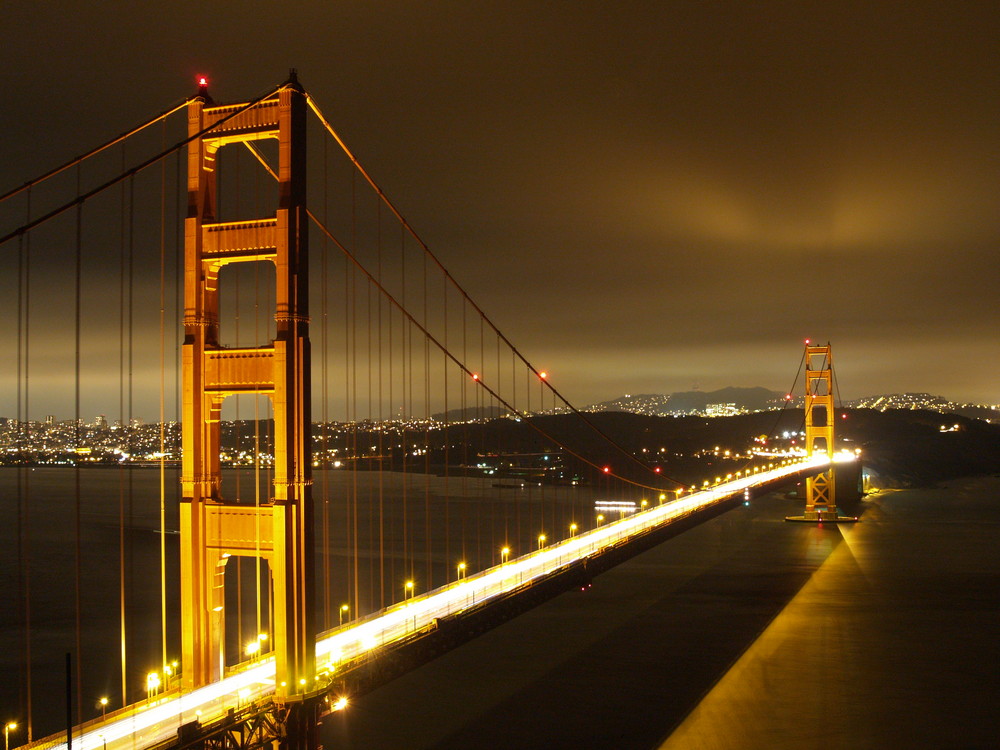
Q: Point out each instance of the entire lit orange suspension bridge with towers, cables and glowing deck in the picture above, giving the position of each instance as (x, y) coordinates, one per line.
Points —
(203, 268)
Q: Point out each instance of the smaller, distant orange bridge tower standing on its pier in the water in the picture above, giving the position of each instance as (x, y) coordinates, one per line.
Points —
(821, 506)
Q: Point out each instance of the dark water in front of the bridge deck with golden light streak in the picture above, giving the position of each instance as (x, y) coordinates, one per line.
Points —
(744, 632)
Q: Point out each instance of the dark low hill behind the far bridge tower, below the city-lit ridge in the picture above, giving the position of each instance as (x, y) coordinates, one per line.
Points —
(901, 448)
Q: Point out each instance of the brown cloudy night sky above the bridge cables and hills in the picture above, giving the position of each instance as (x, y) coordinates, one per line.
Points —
(644, 196)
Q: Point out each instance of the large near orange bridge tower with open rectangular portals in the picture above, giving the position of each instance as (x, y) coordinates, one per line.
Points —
(279, 530)
